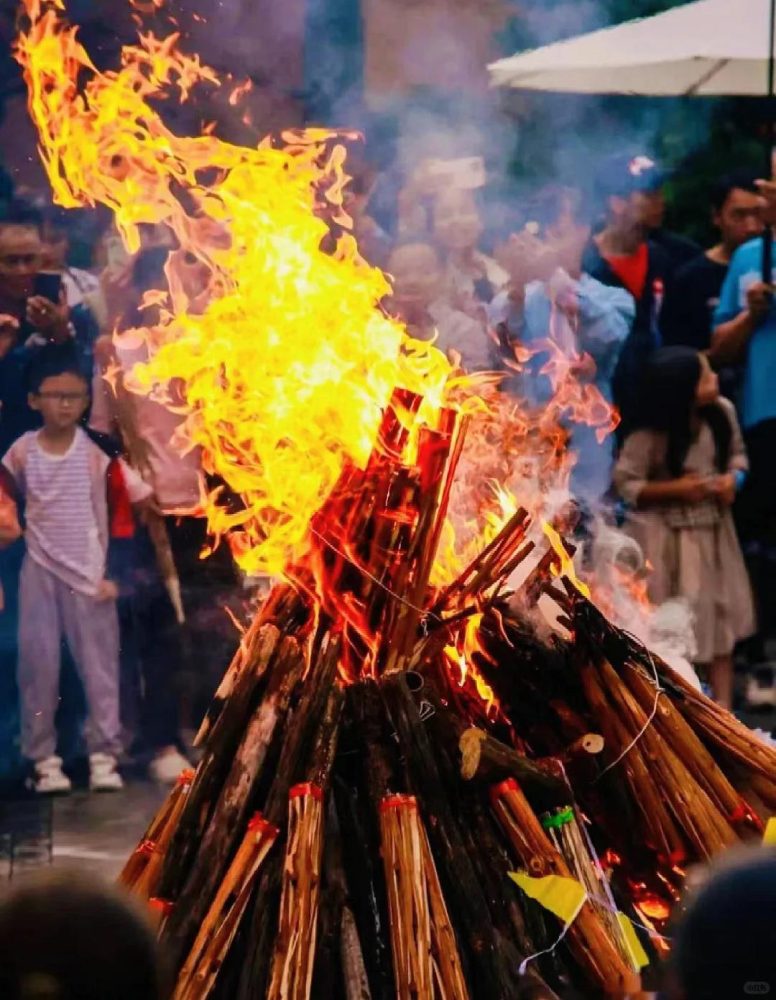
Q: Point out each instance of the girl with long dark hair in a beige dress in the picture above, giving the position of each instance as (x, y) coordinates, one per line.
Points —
(680, 472)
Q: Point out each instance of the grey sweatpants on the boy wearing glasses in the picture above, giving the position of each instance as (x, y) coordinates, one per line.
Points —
(48, 610)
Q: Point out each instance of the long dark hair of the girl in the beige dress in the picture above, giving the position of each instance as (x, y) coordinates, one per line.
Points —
(670, 383)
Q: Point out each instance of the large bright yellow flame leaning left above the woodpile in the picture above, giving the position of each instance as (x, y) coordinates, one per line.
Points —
(285, 361)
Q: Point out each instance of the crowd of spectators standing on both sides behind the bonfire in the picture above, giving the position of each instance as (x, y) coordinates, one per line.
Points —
(679, 339)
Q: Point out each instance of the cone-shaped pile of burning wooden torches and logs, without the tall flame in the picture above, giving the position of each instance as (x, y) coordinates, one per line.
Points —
(382, 755)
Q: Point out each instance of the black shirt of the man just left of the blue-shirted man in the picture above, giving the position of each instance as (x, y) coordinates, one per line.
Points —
(690, 306)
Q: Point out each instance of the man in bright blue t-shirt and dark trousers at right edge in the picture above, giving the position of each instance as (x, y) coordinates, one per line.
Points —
(745, 333)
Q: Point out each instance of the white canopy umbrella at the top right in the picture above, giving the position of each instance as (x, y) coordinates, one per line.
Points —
(706, 48)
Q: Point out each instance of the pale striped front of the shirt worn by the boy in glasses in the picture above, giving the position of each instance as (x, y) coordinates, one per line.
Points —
(62, 526)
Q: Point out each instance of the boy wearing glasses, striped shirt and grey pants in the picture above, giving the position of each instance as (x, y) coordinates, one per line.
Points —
(64, 478)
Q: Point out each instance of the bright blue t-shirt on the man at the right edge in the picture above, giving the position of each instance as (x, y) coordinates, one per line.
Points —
(758, 400)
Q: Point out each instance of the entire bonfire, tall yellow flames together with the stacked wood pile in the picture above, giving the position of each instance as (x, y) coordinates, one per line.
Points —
(434, 769)
